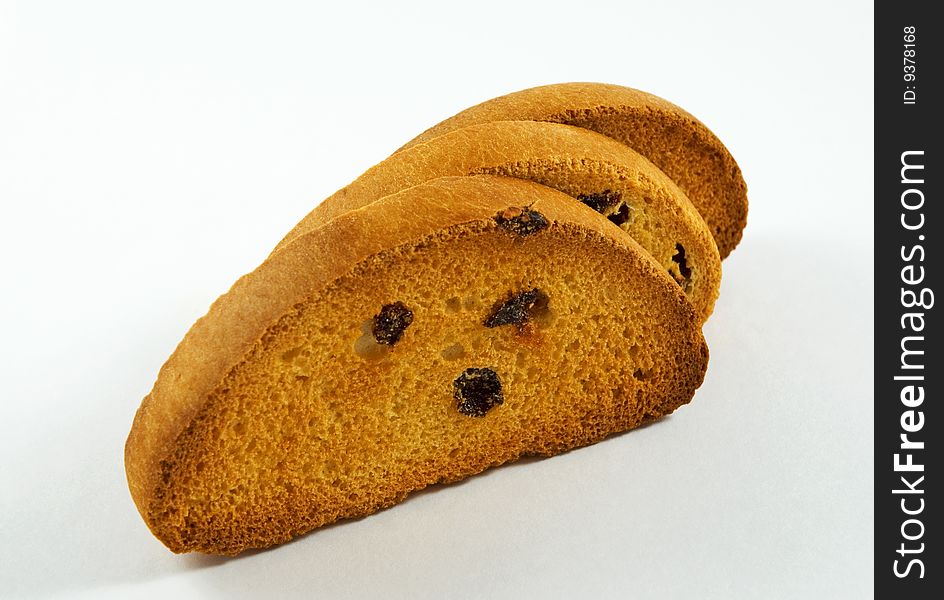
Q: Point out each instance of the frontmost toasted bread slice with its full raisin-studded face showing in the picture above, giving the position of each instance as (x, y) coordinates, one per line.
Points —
(450, 327)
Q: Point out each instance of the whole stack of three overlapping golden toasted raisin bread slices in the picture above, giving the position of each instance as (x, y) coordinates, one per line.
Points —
(526, 277)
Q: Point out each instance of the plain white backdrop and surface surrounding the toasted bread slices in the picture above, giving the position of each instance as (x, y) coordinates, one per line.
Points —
(150, 153)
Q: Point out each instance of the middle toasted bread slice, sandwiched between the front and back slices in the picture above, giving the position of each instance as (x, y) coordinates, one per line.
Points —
(606, 175)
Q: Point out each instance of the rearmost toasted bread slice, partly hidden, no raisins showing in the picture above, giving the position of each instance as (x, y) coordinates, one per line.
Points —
(672, 139)
